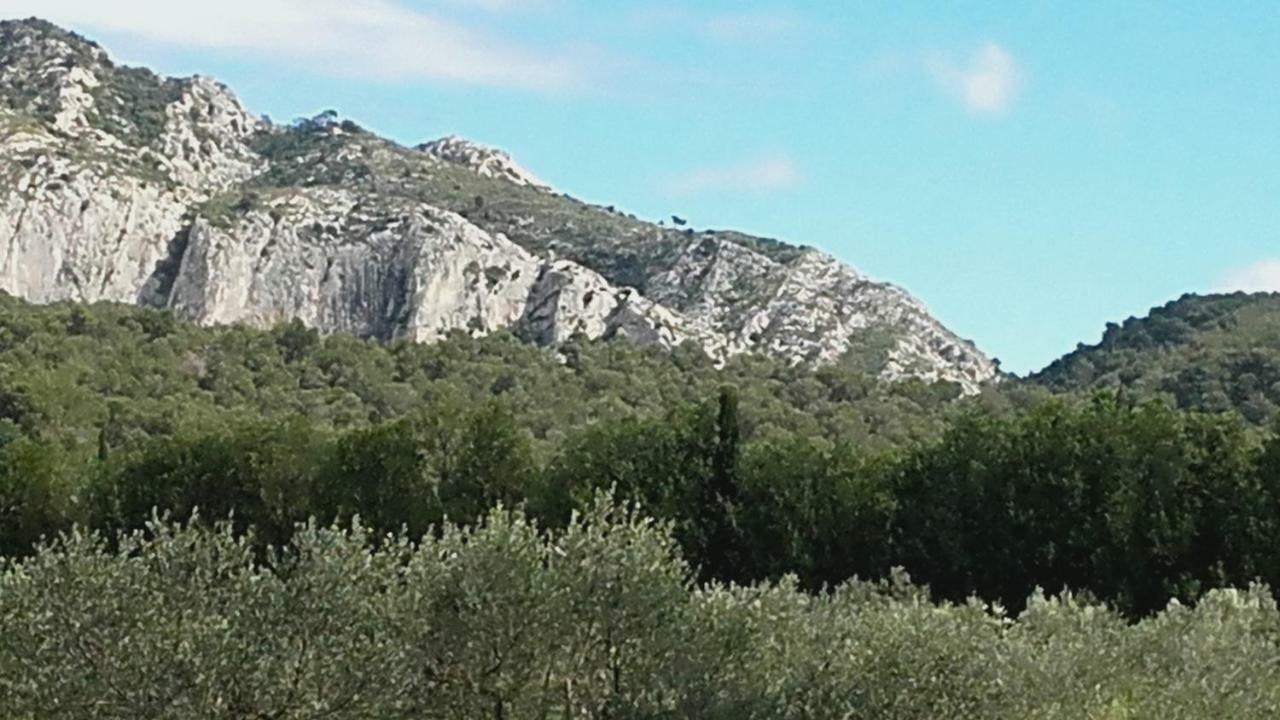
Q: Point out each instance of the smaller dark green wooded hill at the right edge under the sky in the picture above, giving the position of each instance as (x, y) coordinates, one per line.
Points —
(1210, 353)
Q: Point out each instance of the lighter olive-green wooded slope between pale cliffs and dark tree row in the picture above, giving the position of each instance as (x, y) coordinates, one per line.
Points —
(67, 372)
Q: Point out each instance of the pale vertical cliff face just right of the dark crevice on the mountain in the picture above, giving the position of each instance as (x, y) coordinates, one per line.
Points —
(422, 276)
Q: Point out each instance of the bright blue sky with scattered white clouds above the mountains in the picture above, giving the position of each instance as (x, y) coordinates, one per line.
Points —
(1031, 171)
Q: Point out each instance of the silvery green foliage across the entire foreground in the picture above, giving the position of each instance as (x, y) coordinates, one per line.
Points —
(598, 621)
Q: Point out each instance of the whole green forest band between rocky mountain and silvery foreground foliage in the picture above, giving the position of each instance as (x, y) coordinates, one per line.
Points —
(111, 413)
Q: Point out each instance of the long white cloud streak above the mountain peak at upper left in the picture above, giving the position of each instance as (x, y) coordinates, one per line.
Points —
(373, 39)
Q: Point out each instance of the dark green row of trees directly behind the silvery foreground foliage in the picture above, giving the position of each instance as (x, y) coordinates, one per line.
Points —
(1135, 504)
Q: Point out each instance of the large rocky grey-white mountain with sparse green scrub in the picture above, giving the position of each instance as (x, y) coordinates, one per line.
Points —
(120, 185)
